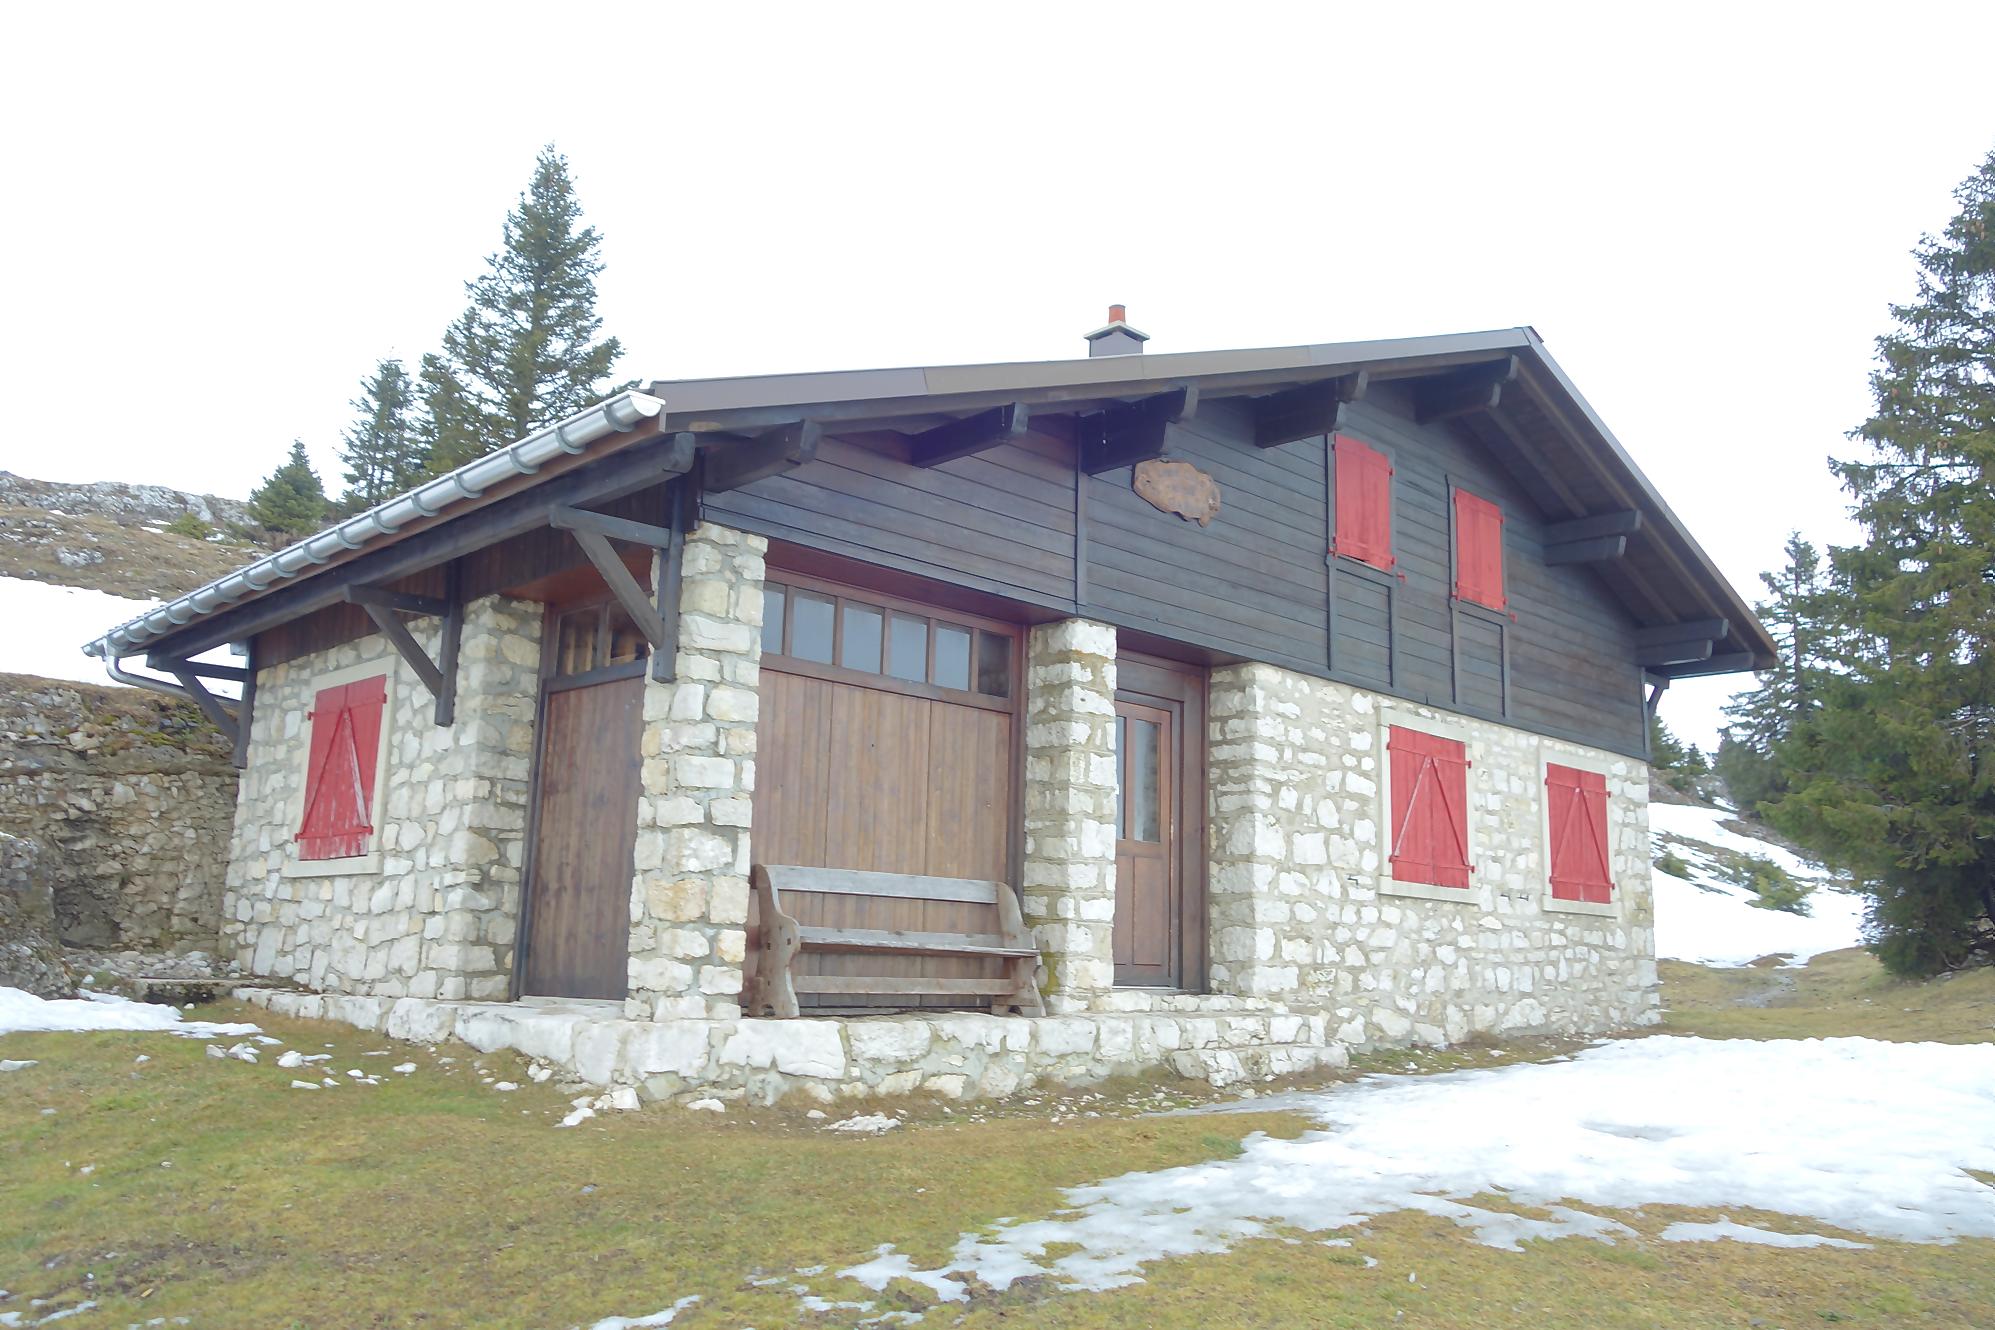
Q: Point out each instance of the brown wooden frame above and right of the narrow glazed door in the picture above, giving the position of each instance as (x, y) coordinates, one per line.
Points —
(1180, 689)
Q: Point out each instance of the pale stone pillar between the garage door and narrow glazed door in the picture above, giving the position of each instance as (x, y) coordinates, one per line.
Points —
(1070, 809)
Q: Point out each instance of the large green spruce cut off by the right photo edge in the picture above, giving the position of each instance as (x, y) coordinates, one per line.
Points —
(1896, 775)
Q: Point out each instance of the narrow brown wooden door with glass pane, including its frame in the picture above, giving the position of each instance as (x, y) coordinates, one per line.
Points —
(1160, 827)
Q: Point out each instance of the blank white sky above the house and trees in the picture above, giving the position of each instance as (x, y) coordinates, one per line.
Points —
(224, 214)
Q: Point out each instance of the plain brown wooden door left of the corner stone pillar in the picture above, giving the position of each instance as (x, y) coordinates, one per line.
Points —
(586, 832)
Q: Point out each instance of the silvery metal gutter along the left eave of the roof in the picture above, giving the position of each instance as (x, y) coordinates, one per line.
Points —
(522, 460)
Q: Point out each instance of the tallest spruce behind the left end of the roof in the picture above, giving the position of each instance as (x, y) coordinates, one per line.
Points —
(528, 350)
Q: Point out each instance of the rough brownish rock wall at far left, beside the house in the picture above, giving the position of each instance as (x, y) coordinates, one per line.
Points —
(133, 797)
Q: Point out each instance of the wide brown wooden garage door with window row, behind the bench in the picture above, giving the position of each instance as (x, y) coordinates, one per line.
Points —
(885, 745)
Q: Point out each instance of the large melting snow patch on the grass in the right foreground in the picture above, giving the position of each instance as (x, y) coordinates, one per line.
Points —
(1852, 1134)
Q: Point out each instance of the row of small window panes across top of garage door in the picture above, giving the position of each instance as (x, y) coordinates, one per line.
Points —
(857, 635)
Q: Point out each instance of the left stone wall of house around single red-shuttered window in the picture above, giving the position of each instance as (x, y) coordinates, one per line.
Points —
(438, 916)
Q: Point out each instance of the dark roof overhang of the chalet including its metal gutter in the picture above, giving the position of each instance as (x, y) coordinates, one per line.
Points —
(1541, 430)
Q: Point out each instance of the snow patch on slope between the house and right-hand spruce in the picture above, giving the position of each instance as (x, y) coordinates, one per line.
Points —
(1707, 920)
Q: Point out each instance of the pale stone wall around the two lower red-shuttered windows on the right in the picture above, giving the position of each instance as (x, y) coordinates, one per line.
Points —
(1304, 910)
